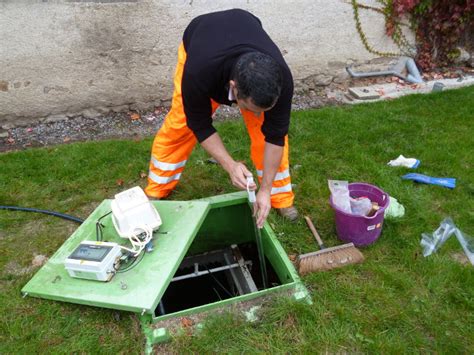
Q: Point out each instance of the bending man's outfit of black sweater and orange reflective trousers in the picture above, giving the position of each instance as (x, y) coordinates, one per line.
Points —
(211, 45)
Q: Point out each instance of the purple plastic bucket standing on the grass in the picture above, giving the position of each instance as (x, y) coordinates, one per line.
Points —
(361, 230)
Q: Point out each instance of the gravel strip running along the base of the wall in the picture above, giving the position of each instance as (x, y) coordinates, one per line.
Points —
(129, 125)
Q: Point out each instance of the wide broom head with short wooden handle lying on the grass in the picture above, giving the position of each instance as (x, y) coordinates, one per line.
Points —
(327, 258)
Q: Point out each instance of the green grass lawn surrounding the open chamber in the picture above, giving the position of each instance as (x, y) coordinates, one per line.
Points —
(396, 301)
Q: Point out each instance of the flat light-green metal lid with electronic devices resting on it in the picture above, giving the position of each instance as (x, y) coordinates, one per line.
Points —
(139, 289)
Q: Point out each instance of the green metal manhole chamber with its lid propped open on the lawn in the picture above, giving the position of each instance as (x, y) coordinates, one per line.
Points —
(205, 259)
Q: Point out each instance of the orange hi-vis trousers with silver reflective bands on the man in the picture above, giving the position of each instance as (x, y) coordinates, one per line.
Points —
(174, 143)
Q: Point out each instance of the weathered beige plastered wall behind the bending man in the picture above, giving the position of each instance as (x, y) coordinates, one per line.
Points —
(64, 58)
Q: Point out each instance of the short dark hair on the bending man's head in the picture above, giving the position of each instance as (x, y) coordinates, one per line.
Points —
(258, 77)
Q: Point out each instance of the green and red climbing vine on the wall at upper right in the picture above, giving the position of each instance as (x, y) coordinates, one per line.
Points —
(439, 26)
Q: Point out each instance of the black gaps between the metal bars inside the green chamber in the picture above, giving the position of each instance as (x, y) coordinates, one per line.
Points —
(211, 287)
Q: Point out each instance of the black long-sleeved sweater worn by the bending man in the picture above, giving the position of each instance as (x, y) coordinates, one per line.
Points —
(213, 43)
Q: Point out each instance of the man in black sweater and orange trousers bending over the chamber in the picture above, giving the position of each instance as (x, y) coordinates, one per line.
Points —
(227, 58)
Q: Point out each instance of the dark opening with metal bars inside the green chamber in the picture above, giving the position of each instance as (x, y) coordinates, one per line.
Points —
(215, 276)
